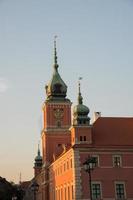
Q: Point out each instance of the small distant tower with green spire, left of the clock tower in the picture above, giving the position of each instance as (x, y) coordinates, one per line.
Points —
(38, 163)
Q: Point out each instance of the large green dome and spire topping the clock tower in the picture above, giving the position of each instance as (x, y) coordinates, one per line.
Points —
(56, 88)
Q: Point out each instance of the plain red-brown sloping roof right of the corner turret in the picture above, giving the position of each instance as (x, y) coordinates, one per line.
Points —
(113, 131)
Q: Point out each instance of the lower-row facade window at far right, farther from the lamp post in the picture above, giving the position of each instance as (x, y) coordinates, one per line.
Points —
(120, 191)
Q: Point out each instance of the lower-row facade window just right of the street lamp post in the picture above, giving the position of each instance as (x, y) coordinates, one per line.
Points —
(96, 191)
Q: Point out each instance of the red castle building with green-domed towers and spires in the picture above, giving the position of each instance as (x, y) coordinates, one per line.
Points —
(67, 141)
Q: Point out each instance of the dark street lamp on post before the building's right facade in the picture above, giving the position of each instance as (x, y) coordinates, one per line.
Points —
(89, 165)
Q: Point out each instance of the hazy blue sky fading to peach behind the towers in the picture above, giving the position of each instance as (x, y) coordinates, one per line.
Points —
(95, 41)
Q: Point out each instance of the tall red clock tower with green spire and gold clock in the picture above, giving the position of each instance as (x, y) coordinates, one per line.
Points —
(56, 116)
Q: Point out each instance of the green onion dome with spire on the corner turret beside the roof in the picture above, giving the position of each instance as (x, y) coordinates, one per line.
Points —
(80, 112)
